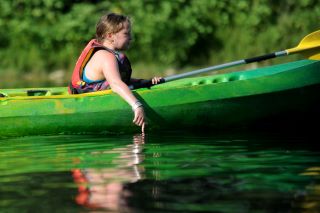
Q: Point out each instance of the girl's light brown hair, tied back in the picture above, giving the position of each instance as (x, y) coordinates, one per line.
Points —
(110, 23)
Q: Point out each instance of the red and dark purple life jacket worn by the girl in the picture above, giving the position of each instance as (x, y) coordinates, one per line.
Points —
(77, 85)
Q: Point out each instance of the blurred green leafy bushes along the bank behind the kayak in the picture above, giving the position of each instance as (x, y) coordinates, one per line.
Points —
(41, 40)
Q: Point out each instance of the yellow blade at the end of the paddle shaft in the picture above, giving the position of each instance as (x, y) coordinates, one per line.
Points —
(309, 46)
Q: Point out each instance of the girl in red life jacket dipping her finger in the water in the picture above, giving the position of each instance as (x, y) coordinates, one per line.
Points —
(100, 65)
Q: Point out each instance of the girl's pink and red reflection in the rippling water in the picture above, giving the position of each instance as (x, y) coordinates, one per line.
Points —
(104, 187)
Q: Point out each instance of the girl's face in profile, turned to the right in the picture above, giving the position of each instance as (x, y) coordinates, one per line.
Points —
(123, 37)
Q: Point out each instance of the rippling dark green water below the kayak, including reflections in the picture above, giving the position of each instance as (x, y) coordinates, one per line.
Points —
(167, 172)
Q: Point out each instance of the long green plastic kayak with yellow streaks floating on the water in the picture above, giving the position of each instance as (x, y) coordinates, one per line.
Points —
(267, 96)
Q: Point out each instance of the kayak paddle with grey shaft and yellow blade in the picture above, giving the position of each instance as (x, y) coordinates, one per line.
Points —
(309, 46)
